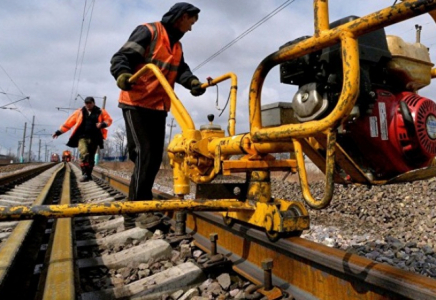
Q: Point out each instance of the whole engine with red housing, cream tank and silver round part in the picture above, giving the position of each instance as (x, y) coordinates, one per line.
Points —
(391, 130)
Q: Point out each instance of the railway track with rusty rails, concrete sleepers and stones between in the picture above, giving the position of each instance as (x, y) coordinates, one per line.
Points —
(93, 257)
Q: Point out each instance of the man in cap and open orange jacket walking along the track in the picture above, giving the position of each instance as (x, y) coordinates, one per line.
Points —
(90, 123)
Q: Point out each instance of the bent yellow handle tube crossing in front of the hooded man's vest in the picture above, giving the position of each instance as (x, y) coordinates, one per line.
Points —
(177, 109)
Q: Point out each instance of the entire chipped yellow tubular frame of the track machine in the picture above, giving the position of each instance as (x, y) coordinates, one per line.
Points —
(201, 155)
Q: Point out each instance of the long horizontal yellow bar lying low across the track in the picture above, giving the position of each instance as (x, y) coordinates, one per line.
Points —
(117, 207)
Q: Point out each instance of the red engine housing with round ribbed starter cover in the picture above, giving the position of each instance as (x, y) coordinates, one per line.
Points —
(397, 134)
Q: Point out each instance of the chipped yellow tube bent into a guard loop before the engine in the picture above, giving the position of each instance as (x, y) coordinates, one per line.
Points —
(358, 27)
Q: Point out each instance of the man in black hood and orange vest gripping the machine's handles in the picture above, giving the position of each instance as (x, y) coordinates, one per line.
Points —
(145, 104)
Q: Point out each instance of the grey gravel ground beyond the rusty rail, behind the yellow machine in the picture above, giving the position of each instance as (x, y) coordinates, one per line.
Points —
(394, 224)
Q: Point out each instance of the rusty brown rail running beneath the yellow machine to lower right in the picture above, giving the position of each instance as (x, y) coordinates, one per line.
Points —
(305, 269)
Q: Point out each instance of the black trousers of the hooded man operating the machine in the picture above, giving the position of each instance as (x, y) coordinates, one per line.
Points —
(145, 129)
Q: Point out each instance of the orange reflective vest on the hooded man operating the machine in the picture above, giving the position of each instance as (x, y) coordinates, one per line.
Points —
(147, 91)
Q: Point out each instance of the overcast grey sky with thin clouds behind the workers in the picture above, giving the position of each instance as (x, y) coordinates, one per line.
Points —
(57, 51)
